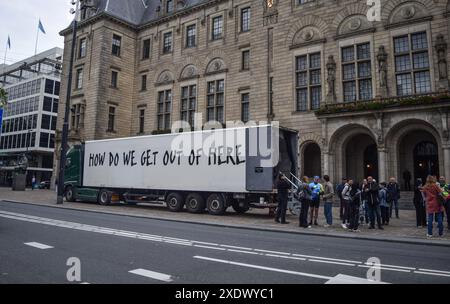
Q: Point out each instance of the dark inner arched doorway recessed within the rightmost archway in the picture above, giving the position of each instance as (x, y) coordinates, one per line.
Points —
(426, 160)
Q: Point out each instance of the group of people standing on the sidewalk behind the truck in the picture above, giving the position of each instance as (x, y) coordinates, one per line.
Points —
(368, 202)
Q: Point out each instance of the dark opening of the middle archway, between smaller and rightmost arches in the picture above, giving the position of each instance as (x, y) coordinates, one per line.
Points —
(361, 157)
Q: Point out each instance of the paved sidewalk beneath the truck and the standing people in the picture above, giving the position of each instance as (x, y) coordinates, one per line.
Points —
(399, 230)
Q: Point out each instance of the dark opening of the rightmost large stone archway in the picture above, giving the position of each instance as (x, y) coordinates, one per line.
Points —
(418, 154)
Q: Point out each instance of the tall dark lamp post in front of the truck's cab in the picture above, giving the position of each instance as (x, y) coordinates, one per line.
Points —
(65, 131)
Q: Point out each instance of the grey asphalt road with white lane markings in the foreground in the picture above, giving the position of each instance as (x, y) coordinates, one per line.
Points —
(36, 243)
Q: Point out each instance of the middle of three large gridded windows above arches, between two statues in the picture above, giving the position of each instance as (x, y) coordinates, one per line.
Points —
(357, 72)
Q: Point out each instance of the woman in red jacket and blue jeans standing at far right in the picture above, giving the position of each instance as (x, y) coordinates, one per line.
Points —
(432, 191)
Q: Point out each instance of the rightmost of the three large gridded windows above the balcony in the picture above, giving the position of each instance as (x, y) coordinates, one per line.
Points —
(412, 66)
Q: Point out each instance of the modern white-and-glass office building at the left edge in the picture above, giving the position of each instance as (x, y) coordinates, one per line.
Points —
(29, 118)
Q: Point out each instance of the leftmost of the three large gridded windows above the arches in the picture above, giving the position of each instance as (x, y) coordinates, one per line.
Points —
(308, 82)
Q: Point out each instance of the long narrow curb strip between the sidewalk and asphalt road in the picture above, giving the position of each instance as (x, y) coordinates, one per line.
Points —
(254, 228)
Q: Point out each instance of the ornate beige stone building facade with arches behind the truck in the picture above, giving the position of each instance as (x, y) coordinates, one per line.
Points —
(367, 97)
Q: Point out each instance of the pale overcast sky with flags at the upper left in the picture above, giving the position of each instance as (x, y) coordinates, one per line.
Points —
(19, 19)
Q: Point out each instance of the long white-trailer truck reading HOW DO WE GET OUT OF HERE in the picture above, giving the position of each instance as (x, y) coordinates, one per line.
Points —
(207, 170)
